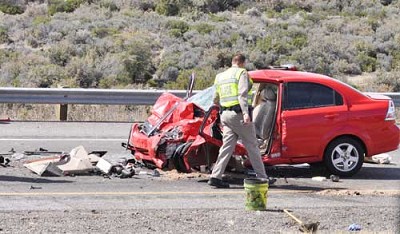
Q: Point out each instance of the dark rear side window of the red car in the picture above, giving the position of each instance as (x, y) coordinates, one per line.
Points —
(298, 95)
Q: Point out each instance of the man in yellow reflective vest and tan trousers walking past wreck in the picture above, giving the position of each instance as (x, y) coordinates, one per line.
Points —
(234, 93)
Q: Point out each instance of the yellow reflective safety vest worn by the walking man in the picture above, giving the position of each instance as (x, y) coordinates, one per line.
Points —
(227, 86)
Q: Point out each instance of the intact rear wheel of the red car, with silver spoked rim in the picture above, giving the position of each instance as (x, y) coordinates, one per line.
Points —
(344, 156)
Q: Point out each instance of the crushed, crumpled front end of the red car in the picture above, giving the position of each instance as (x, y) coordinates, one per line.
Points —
(179, 133)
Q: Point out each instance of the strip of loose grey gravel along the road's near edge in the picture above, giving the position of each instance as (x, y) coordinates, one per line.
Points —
(373, 219)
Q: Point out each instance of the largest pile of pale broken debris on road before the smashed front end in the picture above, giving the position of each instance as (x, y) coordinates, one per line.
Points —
(78, 162)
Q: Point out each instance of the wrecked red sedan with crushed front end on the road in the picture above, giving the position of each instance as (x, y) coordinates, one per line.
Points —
(300, 117)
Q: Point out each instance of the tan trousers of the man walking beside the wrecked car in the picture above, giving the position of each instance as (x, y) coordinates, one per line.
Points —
(234, 129)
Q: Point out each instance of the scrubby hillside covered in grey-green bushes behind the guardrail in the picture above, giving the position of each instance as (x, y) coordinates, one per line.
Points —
(158, 43)
